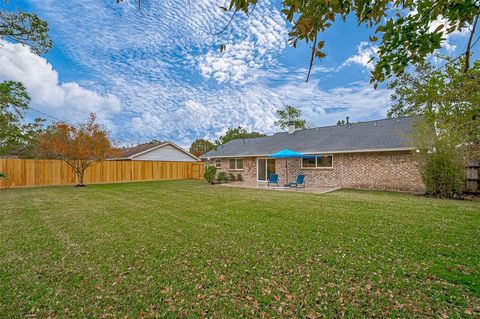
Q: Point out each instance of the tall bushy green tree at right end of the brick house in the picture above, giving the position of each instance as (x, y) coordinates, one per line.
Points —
(448, 132)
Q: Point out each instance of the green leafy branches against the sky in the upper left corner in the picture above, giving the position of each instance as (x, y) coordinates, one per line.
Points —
(25, 28)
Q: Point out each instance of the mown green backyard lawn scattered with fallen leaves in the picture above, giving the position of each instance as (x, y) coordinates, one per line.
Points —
(187, 249)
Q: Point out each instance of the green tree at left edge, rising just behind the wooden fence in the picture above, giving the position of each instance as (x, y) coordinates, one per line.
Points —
(15, 136)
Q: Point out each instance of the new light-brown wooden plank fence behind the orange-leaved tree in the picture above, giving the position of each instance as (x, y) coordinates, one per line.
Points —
(30, 173)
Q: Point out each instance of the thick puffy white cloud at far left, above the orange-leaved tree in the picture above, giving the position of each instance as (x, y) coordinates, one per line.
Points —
(63, 100)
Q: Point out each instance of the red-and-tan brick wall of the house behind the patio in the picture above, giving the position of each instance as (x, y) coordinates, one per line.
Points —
(380, 170)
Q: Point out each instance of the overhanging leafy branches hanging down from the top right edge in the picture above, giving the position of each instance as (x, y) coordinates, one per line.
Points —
(402, 28)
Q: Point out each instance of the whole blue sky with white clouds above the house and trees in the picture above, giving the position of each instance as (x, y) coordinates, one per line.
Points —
(161, 75)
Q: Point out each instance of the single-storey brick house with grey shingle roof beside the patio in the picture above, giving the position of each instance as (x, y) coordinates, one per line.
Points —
(374, 154)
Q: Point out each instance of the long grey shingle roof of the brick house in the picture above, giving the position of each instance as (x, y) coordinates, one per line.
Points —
(379, 135)
